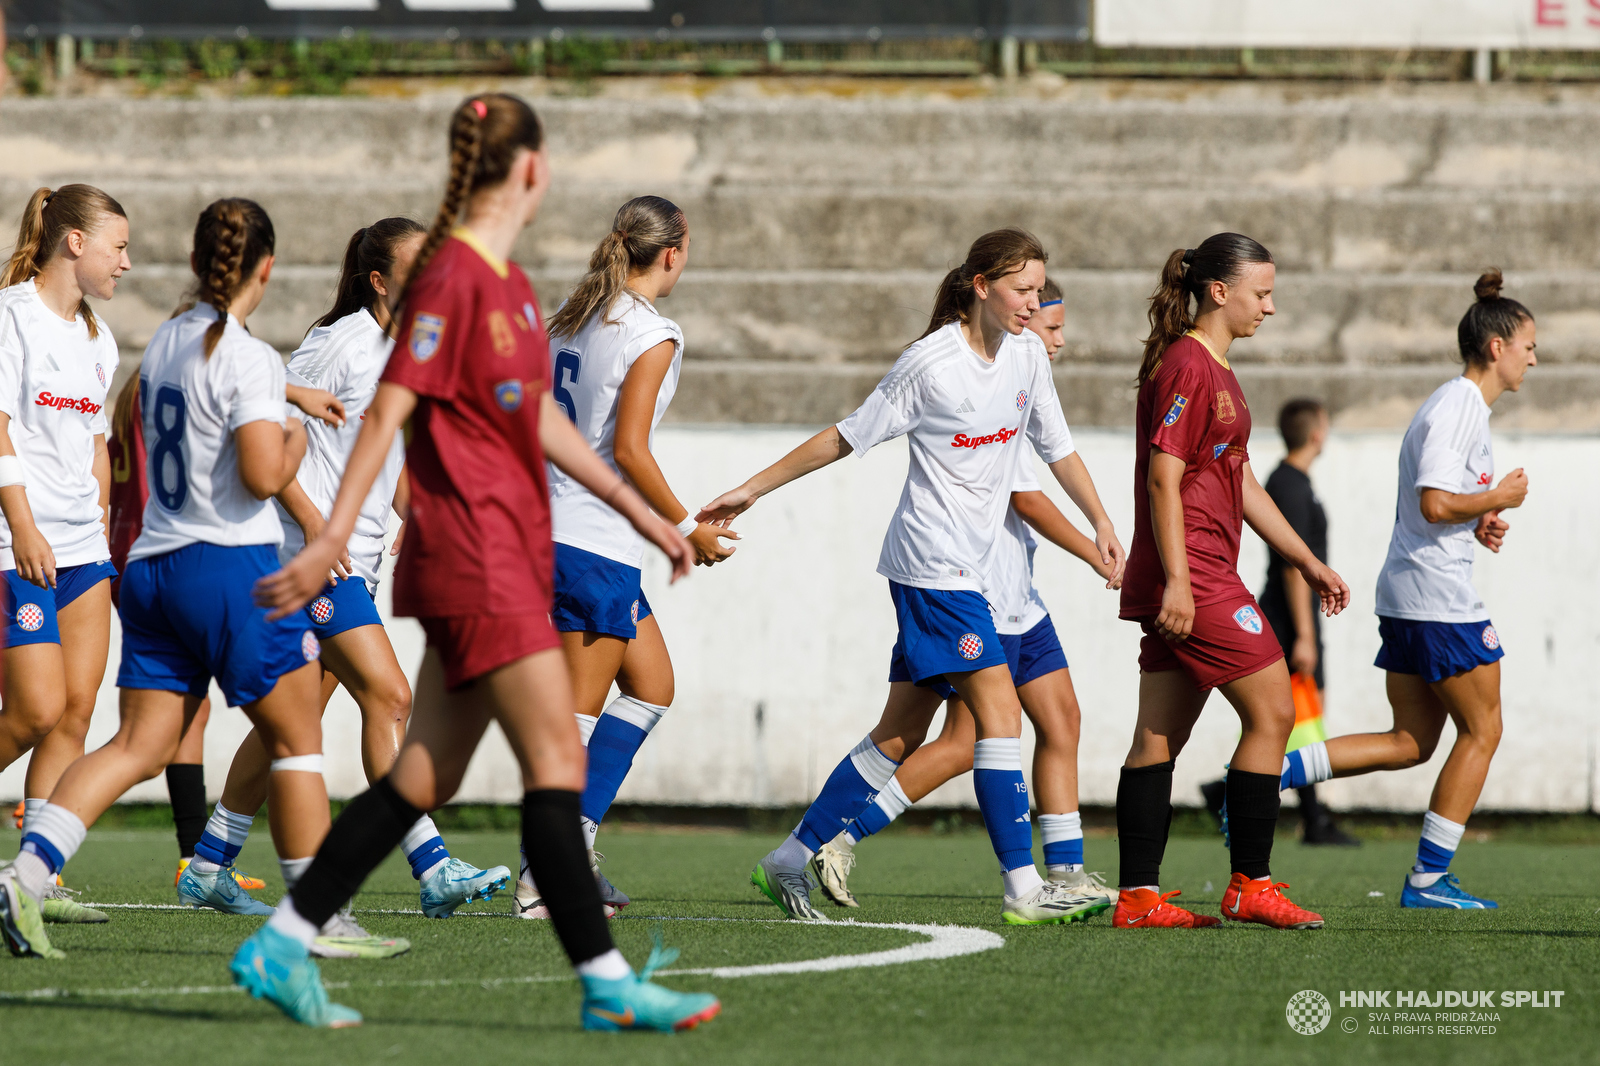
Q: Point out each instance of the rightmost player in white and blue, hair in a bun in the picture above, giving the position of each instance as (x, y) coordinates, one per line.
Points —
(1441, 652)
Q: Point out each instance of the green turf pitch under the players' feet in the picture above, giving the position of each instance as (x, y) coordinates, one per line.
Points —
(474, 990)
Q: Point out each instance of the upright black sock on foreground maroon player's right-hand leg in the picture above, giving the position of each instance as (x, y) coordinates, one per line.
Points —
(559, 862)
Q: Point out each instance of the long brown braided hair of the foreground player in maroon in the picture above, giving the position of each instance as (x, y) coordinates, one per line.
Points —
(484, 138)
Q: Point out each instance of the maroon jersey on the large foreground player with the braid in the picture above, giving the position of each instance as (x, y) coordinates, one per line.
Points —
(474, 350)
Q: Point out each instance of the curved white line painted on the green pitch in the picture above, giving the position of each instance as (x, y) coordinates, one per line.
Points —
(945, 942)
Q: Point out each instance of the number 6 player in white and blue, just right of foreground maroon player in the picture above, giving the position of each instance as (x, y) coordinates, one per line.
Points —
(617, 369)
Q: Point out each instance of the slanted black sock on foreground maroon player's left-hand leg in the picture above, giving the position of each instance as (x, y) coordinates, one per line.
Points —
(369, 830)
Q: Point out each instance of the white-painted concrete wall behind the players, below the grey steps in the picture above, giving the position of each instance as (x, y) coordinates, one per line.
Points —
(782, 652)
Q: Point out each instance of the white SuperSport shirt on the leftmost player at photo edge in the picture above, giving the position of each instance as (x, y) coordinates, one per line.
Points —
(54, 382)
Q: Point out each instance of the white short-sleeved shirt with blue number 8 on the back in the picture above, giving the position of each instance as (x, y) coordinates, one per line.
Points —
(191, 407)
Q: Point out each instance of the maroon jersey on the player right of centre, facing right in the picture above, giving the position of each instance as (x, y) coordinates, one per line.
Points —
(1193, 409)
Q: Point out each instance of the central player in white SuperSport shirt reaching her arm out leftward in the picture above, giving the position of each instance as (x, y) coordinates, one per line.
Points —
(964, 393)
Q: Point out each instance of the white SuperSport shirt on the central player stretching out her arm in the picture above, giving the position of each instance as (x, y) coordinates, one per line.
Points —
(966, 419)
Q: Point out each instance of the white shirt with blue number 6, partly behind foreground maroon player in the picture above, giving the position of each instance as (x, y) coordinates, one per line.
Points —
(588, 375)
